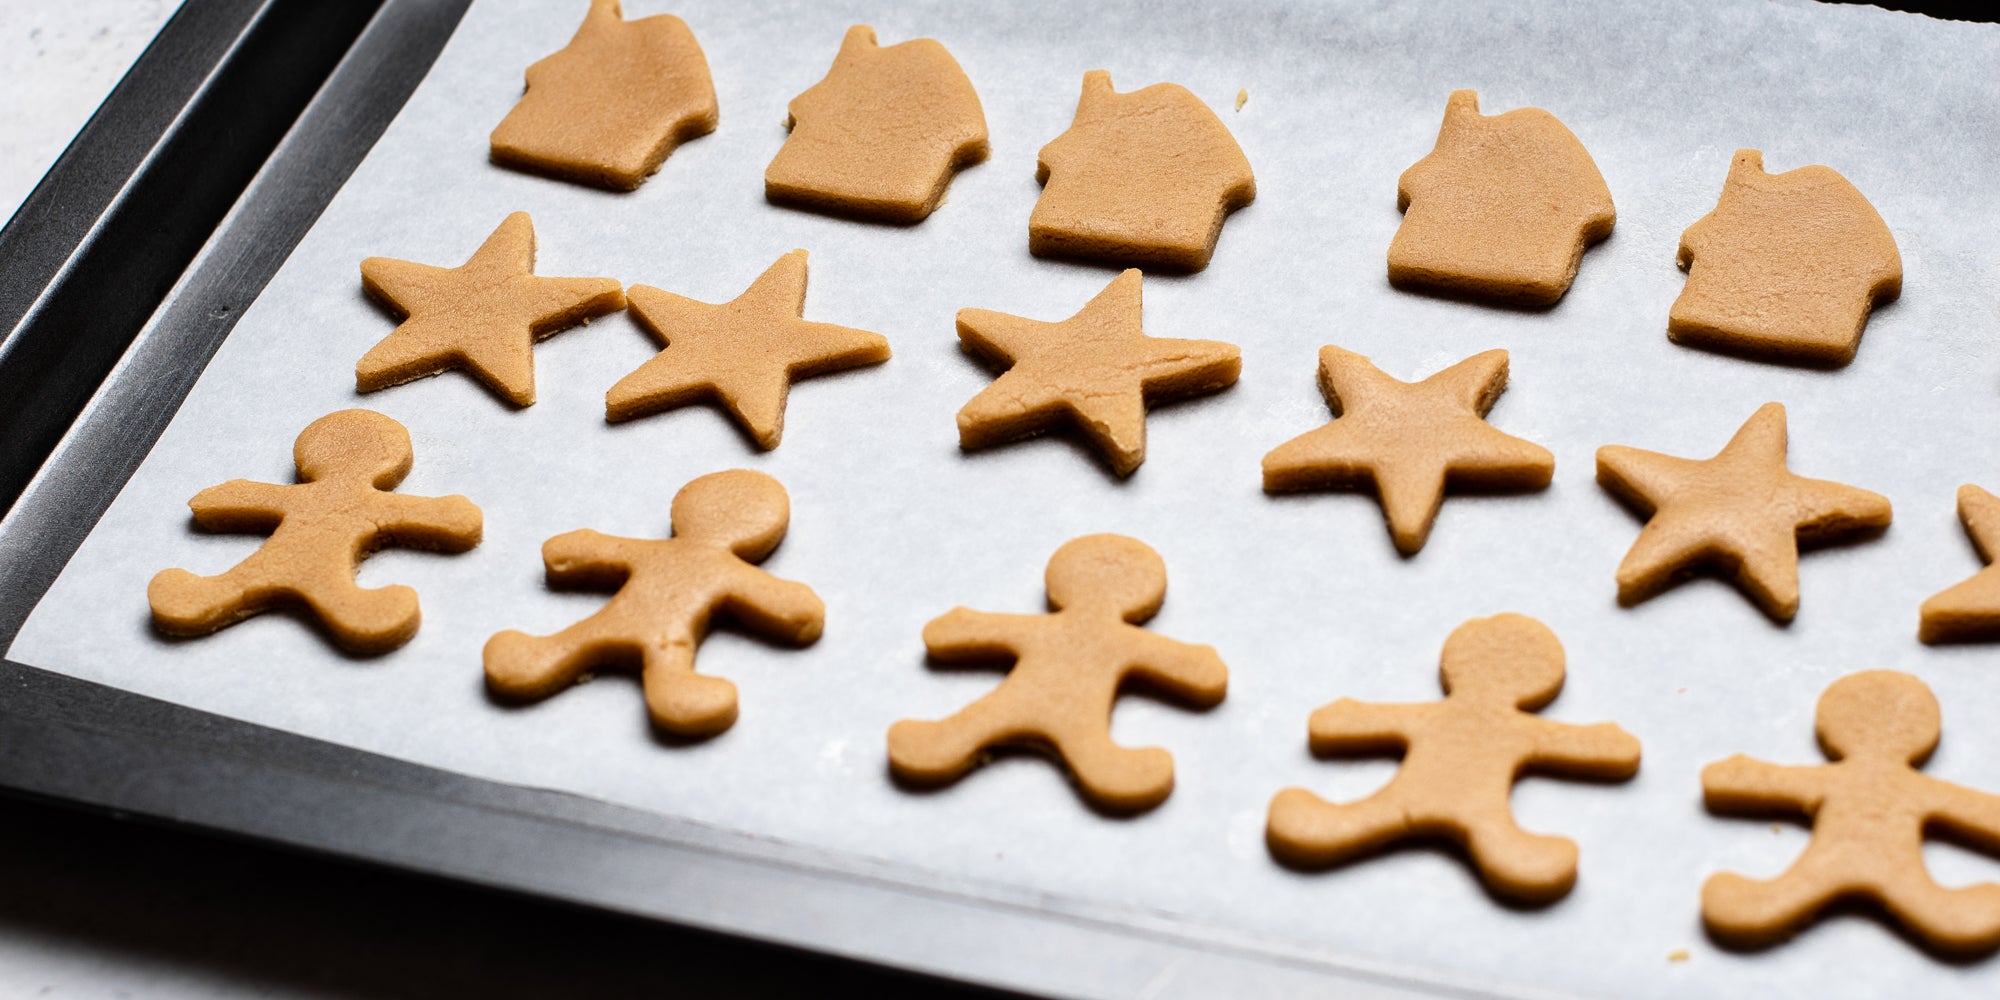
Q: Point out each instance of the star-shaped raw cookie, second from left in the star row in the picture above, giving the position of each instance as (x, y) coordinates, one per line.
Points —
(743, 355)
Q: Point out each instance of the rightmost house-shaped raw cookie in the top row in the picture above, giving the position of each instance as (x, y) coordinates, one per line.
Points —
(1785, 269)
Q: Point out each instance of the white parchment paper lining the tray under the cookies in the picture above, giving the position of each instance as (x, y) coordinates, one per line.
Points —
(1303, 595)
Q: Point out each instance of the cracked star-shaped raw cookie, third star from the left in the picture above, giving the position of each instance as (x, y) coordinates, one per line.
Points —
(1095, 371)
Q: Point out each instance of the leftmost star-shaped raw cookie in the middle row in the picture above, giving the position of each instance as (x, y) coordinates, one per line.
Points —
(483, 315)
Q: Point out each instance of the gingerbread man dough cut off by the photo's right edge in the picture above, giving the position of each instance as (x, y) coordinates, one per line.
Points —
(1871, 811)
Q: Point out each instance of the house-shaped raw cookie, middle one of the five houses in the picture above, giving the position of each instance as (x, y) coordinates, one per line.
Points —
(1141, 179)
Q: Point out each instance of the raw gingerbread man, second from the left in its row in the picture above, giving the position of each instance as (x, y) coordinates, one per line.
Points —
(667, 595)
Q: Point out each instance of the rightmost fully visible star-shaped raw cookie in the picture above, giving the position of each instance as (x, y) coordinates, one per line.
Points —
(1741, 513)
